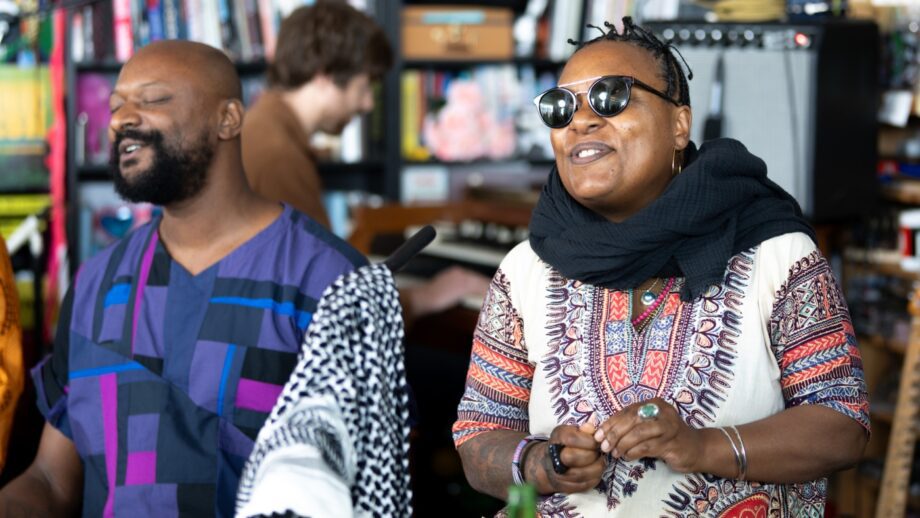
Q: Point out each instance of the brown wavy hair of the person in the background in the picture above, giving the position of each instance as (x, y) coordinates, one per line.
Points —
(331, 38)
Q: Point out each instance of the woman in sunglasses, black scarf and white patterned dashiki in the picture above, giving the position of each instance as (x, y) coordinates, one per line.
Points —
(670, 342)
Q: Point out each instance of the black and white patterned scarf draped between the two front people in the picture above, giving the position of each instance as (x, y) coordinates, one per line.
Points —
(339, 428)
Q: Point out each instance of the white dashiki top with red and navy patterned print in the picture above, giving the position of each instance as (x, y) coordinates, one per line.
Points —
(776, 333)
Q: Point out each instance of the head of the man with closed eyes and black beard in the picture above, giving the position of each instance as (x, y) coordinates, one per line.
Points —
(176, 121)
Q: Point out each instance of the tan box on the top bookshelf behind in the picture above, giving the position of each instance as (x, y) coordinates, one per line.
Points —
(457, 32)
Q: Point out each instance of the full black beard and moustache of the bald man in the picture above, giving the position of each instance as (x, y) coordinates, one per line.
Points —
(175, 175)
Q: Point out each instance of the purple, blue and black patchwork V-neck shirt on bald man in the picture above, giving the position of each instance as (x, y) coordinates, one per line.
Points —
(162, 379)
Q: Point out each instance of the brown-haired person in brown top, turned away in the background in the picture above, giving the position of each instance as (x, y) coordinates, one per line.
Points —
(327, 59)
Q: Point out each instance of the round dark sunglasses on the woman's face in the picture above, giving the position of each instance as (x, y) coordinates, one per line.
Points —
(607, 96)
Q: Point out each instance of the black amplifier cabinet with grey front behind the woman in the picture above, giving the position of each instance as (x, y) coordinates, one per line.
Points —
(802, 96)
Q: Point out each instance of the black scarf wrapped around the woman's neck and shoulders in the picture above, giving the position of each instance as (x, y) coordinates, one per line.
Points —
(721, 204)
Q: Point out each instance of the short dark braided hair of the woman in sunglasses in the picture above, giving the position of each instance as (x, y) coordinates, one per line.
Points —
(633, 34)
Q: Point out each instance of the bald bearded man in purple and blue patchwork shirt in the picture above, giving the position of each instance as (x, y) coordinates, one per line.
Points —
(174, 343)
